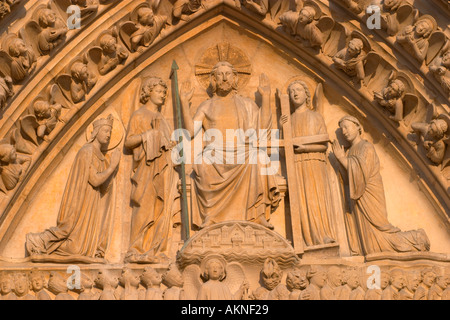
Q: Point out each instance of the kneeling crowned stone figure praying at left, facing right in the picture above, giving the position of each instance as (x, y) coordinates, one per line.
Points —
(83, 230)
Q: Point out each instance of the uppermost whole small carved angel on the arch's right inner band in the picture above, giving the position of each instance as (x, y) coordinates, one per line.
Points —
(308, 24)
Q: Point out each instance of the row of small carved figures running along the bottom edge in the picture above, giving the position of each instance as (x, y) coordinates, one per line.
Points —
(305, 283)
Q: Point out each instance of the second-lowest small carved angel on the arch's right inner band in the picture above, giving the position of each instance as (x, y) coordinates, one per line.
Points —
(397, 97)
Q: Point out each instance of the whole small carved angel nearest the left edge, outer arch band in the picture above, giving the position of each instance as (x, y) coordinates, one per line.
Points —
(17, 59)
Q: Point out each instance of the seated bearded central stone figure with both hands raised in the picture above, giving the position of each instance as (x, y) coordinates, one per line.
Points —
(213, 183)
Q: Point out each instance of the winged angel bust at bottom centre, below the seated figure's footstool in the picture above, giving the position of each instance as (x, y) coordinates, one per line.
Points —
(221, 280)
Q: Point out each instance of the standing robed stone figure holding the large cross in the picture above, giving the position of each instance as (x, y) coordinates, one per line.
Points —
(310, 140)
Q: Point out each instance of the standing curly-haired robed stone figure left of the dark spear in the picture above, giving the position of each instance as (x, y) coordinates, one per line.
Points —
(154, 179)
